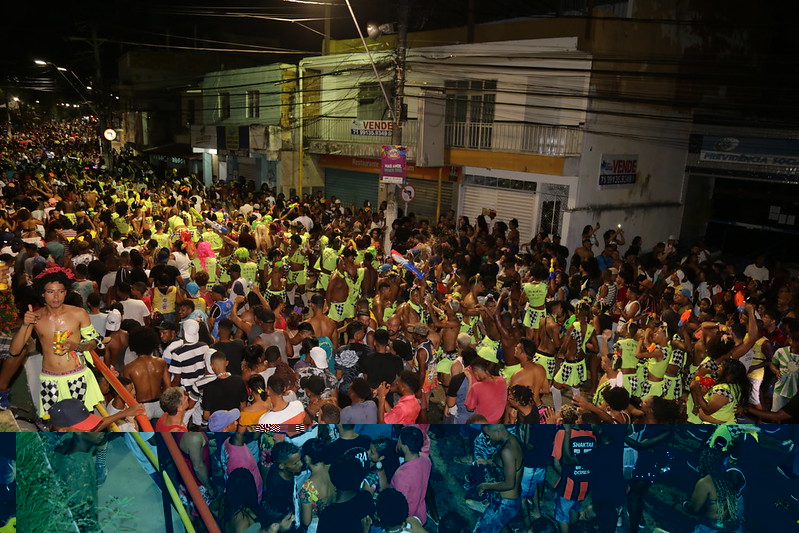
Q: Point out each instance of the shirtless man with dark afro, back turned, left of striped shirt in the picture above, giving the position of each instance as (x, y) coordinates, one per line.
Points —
(149, 374)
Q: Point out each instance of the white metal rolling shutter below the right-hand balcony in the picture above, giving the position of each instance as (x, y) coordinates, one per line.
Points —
(509, 204)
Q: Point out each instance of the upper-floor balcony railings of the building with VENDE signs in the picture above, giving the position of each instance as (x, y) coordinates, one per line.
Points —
(515, 137)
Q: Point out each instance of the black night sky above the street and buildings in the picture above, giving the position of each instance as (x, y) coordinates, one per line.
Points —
(46, 30)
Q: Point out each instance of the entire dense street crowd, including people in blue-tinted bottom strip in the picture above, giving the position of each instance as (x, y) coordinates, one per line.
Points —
(231, 309)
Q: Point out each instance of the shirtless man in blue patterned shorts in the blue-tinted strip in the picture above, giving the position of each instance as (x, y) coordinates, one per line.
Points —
(509, 458)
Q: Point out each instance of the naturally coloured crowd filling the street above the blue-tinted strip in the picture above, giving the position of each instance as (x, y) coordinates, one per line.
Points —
(240, 302)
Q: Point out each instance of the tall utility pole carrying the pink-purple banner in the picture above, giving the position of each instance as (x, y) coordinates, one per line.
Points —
(397, 115)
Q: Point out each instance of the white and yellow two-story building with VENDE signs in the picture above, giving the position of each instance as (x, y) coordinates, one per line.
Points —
(513, 125)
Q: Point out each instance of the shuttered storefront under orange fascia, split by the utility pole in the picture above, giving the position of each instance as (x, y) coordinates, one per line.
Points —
(355, 180)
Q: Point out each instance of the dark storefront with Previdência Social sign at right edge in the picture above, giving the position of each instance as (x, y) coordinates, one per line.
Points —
(743, 194)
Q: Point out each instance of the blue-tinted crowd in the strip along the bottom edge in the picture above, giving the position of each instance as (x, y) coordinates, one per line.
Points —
(570, 478)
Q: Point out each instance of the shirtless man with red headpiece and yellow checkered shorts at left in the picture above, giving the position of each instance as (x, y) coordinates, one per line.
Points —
(66, 335)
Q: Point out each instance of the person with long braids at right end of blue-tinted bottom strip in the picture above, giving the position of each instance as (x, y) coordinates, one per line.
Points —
(716, 496)
